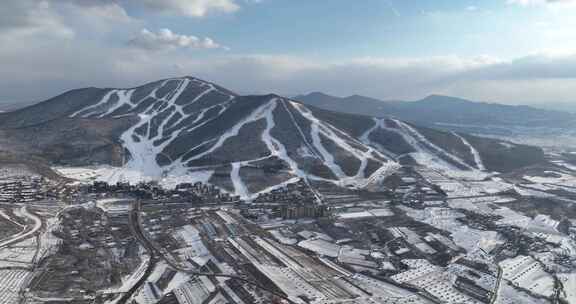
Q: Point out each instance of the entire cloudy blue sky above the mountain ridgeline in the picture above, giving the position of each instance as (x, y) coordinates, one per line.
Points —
(512, 51)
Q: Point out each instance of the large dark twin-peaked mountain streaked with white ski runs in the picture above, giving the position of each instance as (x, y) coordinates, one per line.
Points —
(186, 129)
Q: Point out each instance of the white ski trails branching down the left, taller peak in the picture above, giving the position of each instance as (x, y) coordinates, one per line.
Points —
(145, 149)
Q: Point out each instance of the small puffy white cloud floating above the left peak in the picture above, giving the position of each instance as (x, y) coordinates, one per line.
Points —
(166, 39)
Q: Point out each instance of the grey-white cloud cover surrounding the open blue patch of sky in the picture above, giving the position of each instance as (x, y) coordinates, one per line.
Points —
(52, 46)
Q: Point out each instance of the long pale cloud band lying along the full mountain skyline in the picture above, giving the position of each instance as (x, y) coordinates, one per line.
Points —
(35, 75)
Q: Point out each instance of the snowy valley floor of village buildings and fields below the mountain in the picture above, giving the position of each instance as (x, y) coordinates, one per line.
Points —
(425, 239)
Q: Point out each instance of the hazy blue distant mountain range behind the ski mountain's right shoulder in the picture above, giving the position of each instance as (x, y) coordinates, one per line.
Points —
(453, 114)
